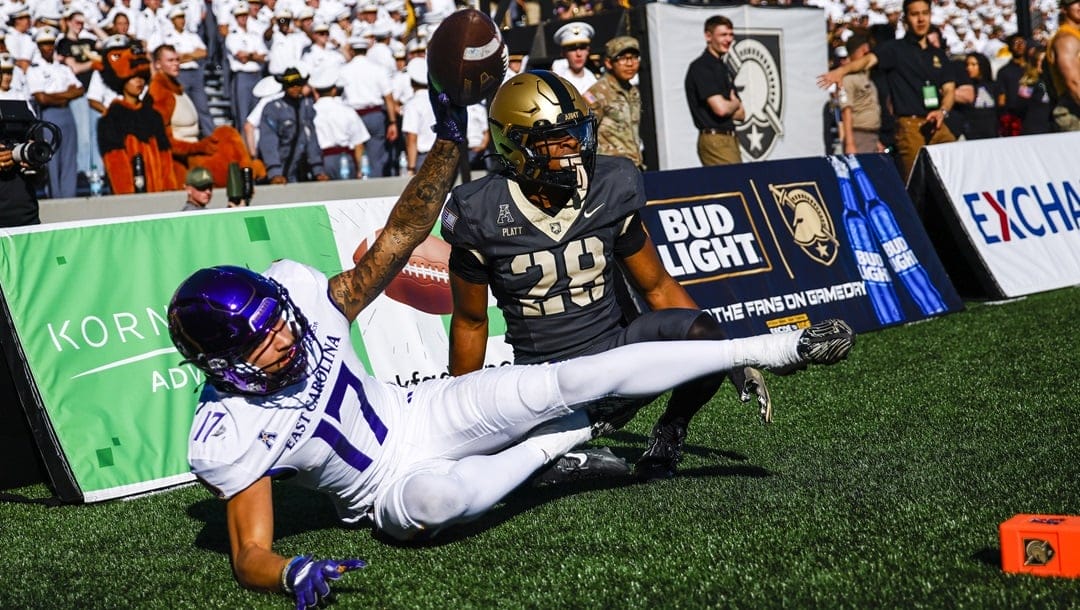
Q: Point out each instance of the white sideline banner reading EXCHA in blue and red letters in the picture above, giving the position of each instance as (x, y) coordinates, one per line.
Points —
(1019, 201)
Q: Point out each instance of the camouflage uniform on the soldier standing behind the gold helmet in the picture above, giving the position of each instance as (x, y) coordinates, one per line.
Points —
(619, 113)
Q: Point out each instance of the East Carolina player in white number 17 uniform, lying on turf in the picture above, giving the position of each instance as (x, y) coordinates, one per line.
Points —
(288, 398)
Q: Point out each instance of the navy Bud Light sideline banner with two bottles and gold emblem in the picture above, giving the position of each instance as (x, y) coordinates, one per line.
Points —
(768, 255)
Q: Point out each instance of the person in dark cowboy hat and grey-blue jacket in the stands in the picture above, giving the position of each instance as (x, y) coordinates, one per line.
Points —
(288, 142)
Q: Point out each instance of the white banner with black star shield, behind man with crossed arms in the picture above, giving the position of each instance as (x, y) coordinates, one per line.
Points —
(777, 55)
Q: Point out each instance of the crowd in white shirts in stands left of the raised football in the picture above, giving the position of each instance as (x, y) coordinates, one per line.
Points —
(53, 55)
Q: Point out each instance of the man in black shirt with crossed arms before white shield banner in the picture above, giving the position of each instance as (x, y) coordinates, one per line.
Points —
(711, 93)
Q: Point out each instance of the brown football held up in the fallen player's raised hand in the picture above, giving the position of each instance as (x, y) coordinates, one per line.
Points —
(467, 58)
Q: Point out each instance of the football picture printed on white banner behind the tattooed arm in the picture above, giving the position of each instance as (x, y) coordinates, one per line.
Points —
(425, 282)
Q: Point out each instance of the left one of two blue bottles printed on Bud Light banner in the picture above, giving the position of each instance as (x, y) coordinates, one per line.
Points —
(871, 266)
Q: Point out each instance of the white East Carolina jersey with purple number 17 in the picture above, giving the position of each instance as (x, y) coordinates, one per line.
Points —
(328, 431)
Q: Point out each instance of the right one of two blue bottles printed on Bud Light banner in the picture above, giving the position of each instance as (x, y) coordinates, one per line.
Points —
(902, 260)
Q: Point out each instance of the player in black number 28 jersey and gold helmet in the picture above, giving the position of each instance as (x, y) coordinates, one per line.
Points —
(552, 236)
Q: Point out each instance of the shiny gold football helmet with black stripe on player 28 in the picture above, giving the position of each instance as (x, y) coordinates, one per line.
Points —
(534, 110)
